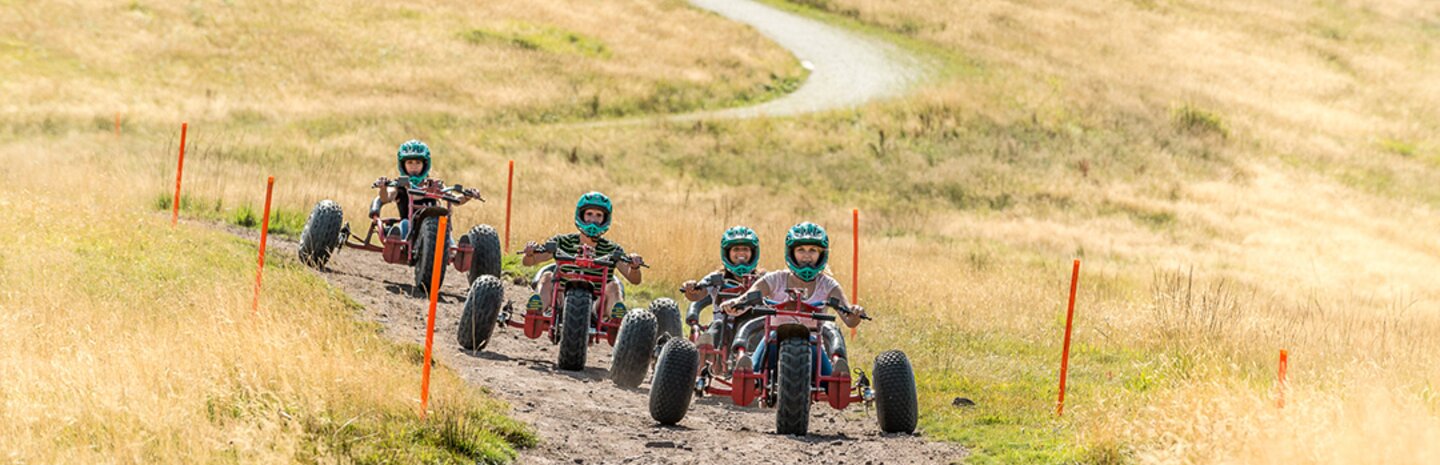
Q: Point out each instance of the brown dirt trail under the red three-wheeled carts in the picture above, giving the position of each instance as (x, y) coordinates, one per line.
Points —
(582, 417)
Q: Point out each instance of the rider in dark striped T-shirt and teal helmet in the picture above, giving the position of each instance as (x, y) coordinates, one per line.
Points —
(593, 218)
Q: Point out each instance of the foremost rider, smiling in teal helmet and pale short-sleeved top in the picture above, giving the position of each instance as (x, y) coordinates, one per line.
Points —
(807, 250)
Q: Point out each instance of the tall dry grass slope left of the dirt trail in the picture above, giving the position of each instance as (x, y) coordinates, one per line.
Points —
(129, 342)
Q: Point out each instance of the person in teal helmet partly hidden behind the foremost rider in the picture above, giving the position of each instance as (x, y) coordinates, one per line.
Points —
(741, 256)
